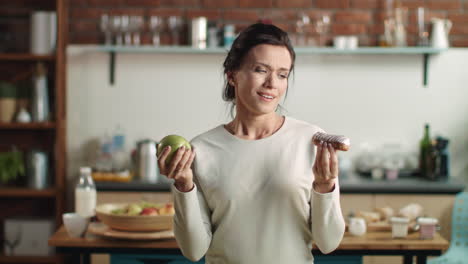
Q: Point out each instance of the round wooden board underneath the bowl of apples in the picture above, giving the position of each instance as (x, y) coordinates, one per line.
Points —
(103, 230)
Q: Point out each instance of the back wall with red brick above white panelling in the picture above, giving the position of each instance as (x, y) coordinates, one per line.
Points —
(373, 99)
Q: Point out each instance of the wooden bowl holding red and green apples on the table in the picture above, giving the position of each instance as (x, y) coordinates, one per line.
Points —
(139, 223)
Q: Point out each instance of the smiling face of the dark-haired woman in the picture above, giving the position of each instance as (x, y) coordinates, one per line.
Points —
(262, 79)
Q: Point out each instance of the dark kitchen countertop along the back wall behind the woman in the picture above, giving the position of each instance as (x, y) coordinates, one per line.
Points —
(352, 183)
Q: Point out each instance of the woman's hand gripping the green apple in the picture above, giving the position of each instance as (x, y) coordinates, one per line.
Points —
(179, 168)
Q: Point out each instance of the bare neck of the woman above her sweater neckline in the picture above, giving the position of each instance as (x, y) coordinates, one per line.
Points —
(255, 127)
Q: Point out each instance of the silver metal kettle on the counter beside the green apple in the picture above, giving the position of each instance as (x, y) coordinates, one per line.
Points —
(146, 163)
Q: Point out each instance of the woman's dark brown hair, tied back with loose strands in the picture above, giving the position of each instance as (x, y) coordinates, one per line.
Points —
(250, 37)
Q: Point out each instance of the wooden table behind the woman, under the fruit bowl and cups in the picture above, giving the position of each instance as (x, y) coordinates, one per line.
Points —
(373, 243)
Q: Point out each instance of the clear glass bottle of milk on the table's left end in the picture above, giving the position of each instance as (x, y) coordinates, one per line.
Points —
(85, 194)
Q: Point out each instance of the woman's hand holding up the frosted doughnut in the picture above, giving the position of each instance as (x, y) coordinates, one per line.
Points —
(325, 168)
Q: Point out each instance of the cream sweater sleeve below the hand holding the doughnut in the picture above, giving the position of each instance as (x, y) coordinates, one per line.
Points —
(327, 221)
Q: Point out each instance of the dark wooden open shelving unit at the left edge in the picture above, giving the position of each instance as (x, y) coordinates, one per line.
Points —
(18, 201)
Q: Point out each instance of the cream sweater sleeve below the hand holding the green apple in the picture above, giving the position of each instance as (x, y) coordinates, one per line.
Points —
(192, 225)
